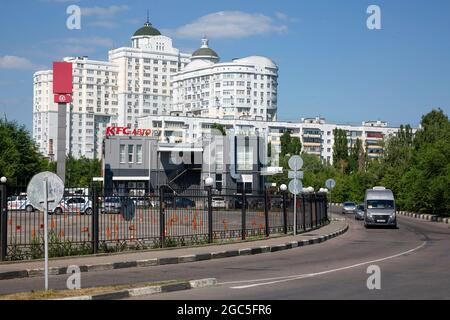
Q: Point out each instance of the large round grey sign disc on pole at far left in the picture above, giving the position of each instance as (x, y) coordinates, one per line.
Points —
(35, 190)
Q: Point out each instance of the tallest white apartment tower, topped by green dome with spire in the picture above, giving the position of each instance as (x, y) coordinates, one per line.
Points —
(145, 72)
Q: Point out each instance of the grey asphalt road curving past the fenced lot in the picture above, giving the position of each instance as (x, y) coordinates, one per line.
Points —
(414, 262)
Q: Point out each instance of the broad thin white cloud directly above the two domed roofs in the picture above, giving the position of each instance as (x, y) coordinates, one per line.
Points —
(229, 24)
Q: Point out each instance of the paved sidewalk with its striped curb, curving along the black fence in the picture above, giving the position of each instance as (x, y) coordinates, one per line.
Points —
(135, 259)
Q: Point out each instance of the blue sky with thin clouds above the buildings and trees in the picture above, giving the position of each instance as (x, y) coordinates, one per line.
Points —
(330, 64)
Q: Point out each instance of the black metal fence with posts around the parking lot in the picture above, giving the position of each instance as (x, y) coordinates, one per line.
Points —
(92, 220)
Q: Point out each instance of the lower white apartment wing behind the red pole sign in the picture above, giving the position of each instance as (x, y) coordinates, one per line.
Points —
(94, 105)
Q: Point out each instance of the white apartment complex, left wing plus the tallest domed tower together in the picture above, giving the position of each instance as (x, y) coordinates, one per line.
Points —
(134, 82)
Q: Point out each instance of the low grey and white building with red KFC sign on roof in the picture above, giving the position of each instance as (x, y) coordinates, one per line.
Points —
(137, 162)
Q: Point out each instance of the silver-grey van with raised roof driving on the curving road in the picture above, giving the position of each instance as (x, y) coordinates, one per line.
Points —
(379, 209)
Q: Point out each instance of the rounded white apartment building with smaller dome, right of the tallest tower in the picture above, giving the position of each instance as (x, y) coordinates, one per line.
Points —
(242, 89)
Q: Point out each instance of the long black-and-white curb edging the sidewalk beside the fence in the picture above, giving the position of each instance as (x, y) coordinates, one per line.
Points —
(29, 273)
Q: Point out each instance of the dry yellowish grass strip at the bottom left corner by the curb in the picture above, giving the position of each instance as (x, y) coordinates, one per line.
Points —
(59, 294)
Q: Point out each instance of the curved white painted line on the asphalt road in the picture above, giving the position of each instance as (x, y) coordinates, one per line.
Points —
(310, 275)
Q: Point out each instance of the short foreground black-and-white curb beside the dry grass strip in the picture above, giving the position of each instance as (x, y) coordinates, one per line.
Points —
(149, 290)
